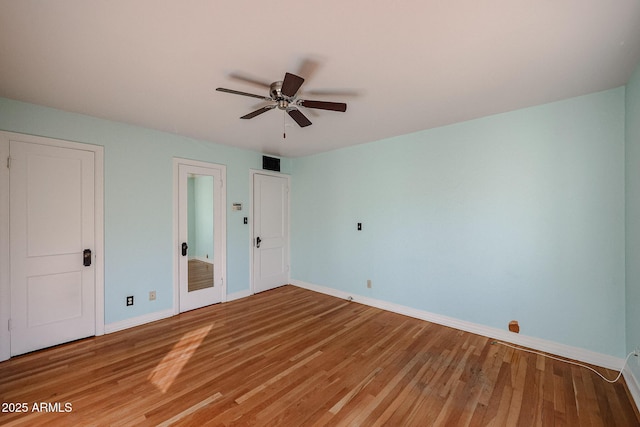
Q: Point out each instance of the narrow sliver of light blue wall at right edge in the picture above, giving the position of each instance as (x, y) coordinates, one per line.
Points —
(633, 215)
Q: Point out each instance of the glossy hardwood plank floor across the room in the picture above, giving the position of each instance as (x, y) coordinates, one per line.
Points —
(292, 357)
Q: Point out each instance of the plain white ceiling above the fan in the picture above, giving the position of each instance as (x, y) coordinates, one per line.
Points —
(400, 66)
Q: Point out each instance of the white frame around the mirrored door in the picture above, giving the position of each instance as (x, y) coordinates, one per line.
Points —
(176, 226)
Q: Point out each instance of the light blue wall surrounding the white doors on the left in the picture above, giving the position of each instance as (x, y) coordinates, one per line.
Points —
(139, 200)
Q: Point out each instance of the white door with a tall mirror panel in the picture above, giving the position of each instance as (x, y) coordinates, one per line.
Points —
(201, 231)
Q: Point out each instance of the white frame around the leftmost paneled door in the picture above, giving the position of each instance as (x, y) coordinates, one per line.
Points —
(5, 283)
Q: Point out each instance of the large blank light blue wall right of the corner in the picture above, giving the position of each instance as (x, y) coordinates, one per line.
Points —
(513, 216)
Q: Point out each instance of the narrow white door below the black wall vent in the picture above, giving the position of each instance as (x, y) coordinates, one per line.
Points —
(270, 232)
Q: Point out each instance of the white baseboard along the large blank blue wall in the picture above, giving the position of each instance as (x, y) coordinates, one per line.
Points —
(575, 353)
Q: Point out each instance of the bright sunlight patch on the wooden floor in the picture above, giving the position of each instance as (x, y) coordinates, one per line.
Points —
(169, 368)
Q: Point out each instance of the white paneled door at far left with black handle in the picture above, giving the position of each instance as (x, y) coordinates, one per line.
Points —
(52, 204)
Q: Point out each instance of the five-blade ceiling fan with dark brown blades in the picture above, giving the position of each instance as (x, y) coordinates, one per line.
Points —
(283, 95)
